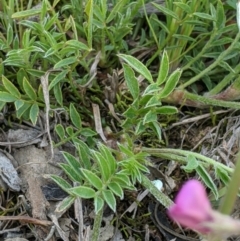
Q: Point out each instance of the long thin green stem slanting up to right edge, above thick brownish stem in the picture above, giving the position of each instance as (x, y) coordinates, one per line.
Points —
(213, 65)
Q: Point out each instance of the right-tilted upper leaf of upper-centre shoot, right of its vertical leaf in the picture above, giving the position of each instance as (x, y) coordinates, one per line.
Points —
(170, 83)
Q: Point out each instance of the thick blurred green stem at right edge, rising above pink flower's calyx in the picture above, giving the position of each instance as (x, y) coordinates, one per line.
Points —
(232, 190)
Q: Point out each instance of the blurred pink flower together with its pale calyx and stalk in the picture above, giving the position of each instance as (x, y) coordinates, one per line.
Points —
(192, 209)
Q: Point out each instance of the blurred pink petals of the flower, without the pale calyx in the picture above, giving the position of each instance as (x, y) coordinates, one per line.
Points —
(192, 207)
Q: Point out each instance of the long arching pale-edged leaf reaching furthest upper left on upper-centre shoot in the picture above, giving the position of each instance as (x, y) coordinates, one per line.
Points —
(137, 66)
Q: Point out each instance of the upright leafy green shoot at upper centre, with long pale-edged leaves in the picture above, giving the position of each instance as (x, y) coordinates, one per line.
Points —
(141, 113)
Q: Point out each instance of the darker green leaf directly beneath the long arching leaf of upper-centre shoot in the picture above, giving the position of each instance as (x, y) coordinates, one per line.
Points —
(131, 81)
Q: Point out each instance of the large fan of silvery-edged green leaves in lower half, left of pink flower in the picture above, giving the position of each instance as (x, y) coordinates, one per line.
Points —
(106, 182)
